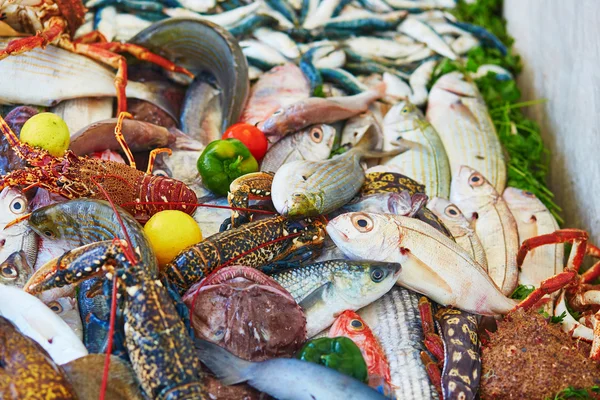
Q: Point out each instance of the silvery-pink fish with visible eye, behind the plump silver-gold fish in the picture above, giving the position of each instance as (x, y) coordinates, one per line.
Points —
(313, 144)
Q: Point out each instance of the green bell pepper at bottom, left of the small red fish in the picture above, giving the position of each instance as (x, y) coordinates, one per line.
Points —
(339, 353)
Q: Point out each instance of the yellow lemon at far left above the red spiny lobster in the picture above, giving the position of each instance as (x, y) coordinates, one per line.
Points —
(48, 131)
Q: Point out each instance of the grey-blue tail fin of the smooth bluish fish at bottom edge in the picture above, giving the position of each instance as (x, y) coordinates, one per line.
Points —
(228, 368)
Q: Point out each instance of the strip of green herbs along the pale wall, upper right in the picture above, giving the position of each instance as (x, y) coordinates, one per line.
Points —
(528, 159)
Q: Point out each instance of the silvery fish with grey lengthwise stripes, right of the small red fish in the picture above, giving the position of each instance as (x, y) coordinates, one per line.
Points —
(396, 324)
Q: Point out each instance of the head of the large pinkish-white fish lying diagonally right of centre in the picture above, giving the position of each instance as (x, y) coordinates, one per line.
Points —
(363, 235)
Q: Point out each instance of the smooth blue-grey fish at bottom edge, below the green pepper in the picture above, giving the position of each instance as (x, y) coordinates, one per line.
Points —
(284, 378)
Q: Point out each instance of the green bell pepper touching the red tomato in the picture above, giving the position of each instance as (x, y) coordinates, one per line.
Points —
(223, 161)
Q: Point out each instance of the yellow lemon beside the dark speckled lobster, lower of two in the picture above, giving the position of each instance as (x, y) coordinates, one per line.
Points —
(171, 231)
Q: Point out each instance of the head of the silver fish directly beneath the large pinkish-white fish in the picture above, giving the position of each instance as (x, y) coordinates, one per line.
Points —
(362, 282)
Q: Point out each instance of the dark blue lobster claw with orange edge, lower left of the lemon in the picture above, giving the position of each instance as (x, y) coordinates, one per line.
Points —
(73, 267)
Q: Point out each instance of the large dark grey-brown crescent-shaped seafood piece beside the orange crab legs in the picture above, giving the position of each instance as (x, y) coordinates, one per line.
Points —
(203, 46)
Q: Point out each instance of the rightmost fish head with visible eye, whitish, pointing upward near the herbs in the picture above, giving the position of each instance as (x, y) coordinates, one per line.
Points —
(470, 191)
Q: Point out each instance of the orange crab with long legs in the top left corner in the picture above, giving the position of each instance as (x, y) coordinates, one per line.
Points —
(55, 22)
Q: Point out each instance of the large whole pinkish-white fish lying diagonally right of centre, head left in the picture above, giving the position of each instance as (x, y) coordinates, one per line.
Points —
(432, 264)
